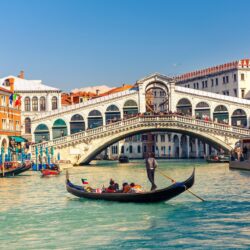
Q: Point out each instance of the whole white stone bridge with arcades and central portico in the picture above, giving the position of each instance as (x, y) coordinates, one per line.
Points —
(79, 132)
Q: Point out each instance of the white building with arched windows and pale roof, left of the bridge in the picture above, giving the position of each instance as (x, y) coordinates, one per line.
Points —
(36, 99)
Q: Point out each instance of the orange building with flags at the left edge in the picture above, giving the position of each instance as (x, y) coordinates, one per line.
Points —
(10, 116)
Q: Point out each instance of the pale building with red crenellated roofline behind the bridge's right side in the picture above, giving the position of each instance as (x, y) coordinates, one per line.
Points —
(231, 79)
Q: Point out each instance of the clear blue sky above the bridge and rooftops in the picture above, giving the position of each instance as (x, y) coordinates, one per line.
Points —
(74, 43)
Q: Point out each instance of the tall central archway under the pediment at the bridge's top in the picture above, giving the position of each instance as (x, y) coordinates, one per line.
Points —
(157, 98)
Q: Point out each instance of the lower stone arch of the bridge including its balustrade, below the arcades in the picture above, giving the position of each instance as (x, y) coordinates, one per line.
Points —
(82, 147)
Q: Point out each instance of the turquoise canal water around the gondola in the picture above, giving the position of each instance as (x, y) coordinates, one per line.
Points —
(38, 213)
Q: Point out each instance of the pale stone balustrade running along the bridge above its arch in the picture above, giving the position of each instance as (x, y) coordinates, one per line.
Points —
(159, 119)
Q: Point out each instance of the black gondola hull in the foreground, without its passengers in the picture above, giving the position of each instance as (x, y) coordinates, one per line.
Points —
(151, 196)
